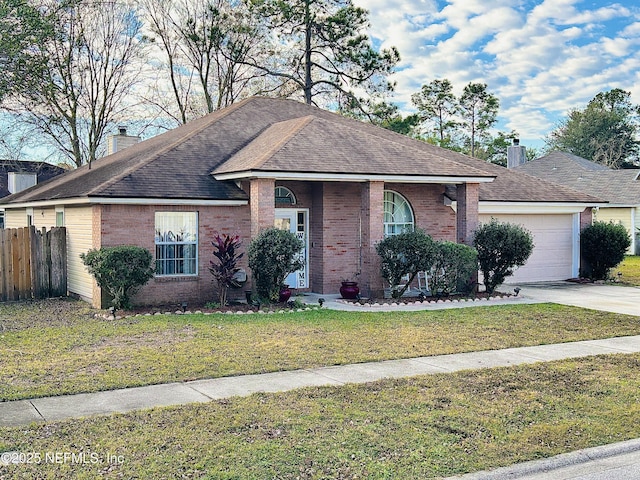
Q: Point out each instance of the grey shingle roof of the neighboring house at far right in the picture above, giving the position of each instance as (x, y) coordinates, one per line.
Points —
(618, 187)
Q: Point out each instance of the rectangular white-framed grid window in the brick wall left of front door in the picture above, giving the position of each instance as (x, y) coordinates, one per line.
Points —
(177, 245)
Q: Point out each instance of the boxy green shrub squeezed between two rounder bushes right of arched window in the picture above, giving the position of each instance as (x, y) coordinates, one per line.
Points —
(454, 270)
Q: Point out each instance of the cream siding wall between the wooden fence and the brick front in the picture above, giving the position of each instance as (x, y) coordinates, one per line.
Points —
(78, 221)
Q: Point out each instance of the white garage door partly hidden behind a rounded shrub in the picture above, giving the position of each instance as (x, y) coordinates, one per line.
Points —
(552, 257)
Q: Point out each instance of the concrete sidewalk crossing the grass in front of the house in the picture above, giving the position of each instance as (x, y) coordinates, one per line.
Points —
(23, 412)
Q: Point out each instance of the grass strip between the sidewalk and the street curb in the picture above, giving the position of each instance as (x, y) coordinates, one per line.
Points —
(417, 428)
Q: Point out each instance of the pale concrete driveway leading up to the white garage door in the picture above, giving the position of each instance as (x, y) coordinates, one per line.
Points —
(609, 298)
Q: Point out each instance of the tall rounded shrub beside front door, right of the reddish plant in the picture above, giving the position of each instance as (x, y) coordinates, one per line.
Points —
(273, 254)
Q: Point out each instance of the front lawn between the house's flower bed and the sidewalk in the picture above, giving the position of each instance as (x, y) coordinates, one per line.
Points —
(57, 347)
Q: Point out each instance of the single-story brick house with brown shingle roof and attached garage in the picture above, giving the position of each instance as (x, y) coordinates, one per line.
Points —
(339, 184)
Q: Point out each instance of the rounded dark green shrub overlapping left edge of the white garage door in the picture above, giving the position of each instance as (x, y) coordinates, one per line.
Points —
(502, 247)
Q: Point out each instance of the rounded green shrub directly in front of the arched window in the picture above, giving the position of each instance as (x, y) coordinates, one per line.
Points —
(405, 254)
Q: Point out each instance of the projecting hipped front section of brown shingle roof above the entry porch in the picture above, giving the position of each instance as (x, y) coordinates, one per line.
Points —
(332, 146)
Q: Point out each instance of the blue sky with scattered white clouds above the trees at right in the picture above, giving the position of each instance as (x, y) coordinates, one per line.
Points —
(540, 58)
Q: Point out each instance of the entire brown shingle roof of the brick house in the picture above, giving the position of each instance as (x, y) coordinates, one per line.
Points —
(266, 133)
